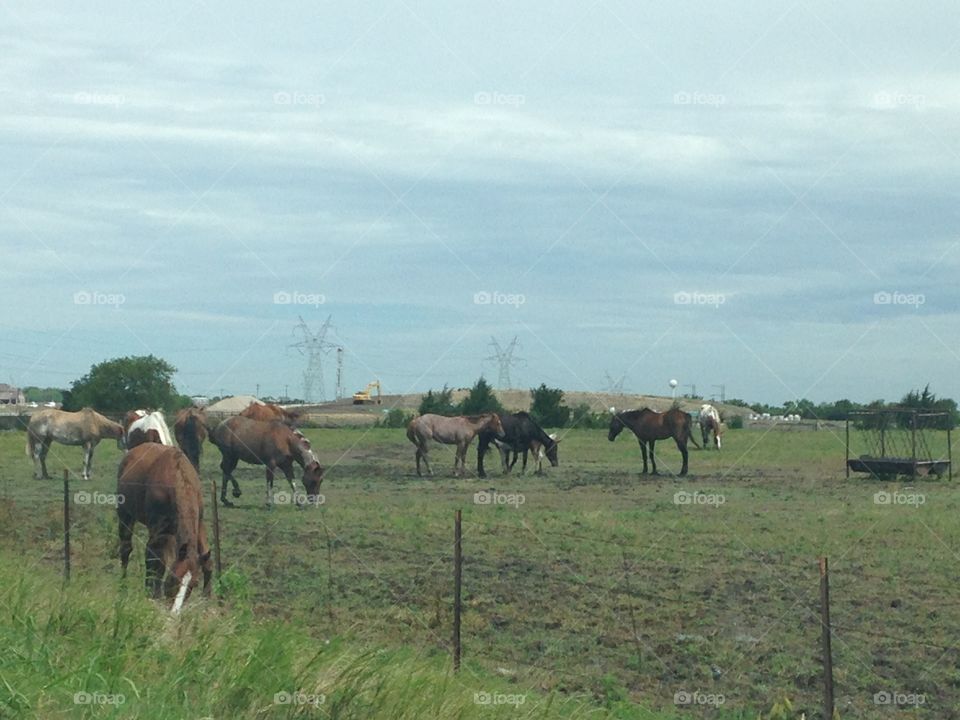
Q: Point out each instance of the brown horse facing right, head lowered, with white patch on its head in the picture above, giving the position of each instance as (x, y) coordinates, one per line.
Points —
(272, 444)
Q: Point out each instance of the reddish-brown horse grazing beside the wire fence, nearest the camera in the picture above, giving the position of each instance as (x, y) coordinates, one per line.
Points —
(157, 486)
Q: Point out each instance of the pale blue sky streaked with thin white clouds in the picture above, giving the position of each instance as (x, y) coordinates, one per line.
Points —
(759, 196)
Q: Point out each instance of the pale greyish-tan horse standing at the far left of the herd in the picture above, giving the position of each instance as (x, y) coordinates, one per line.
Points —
(86, 427)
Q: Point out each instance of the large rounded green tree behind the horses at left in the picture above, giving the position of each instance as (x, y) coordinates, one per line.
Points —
(125, 384)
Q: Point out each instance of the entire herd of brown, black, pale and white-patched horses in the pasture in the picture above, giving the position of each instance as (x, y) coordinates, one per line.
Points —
(160, 483)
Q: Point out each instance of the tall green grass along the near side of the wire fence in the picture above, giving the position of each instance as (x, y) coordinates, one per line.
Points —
(89, 650)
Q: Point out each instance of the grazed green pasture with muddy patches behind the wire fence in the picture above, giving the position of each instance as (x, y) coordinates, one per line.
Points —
(640, 596)
